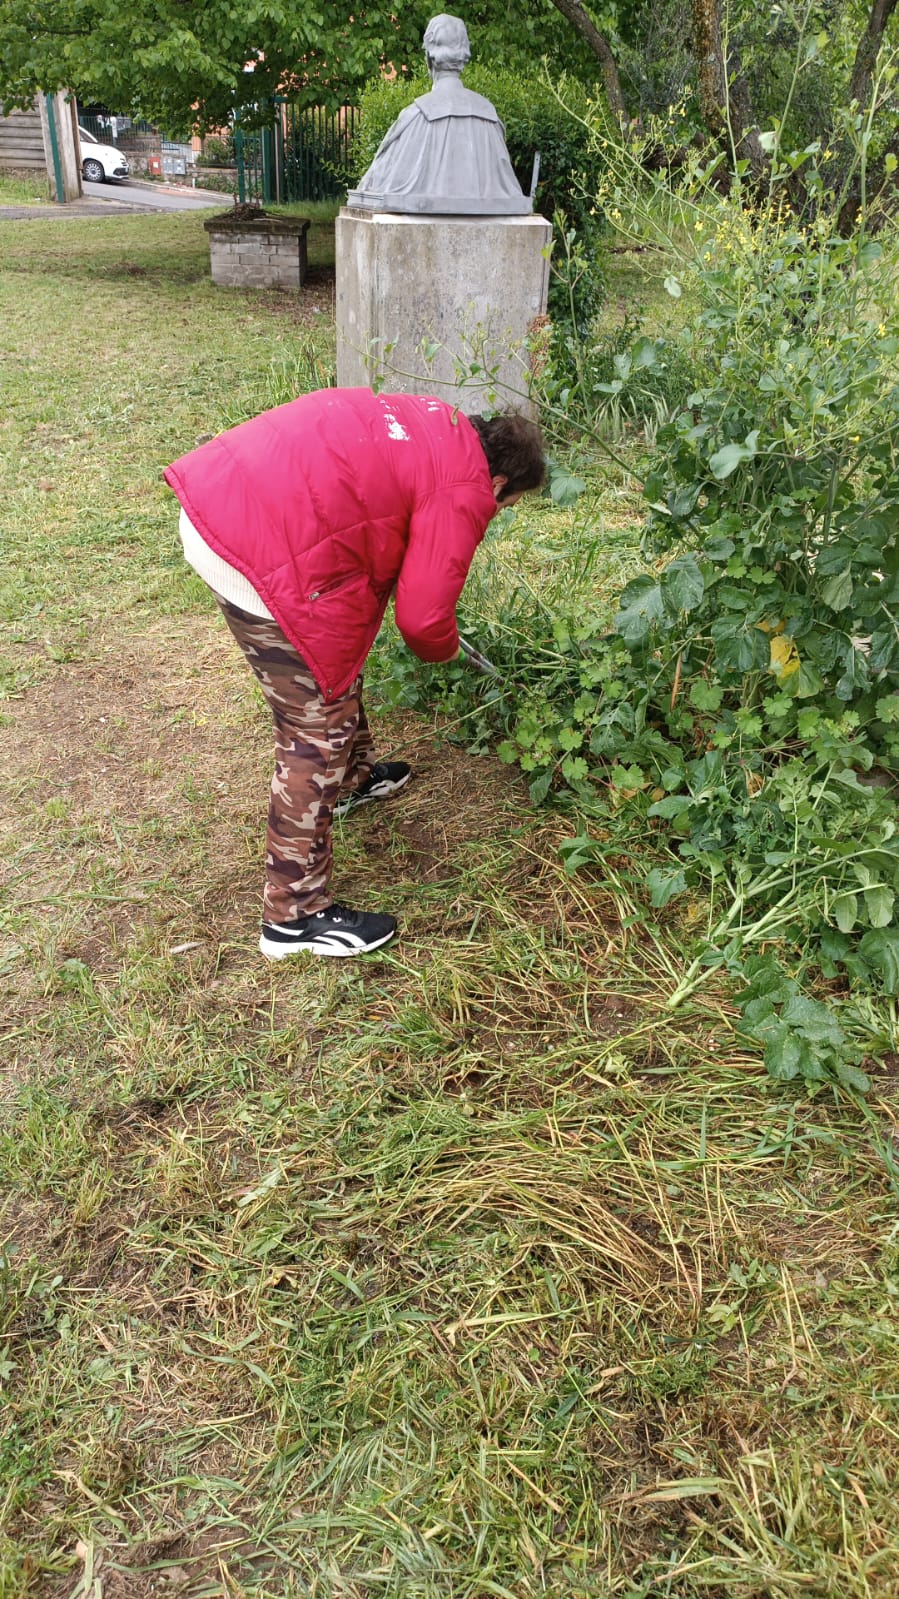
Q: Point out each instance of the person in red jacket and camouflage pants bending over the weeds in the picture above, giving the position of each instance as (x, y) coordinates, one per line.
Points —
(303, 524)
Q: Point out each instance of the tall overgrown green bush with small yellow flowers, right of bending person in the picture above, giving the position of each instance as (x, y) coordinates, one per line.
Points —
(746, 698)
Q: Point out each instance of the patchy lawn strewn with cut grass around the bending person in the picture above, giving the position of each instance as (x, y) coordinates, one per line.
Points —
(461, 1272)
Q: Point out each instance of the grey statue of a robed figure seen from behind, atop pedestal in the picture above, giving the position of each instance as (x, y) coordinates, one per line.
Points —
(447, 151)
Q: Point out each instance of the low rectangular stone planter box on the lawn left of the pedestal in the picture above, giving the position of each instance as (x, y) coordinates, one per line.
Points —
(250, 250)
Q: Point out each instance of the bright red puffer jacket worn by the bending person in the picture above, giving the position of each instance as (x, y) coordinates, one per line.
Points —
(329, 503)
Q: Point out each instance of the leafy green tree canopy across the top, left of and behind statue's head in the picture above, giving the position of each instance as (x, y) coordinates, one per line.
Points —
(191, 66)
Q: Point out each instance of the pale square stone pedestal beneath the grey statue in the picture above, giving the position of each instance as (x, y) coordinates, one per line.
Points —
(453, 289)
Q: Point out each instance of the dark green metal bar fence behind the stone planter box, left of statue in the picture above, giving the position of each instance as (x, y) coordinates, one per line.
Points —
(302, 156)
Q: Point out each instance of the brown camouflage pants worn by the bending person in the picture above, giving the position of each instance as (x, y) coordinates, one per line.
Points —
(321, 752)
